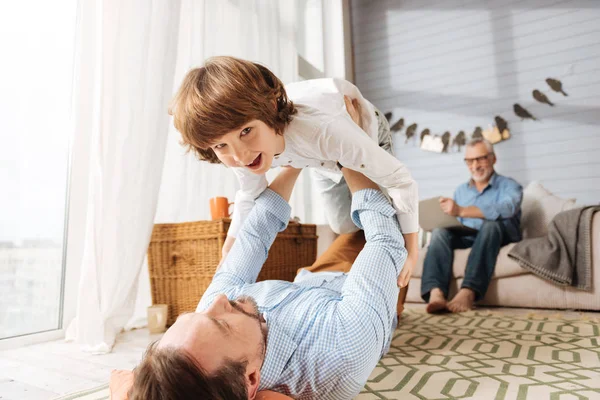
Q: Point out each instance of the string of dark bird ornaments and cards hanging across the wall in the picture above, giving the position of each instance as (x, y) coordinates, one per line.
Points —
(496, 133)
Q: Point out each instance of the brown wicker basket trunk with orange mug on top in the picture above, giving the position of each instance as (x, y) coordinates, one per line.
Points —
(182, 259)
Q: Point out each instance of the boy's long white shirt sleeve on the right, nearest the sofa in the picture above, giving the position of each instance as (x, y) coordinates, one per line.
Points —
(347, 143)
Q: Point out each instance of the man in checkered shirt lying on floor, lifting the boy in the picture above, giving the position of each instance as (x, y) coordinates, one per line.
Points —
(319, 337)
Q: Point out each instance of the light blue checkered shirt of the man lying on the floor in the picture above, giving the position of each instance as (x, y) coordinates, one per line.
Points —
(325, 334)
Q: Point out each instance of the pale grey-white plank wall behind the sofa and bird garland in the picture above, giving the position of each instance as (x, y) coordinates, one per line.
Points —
(454, 64)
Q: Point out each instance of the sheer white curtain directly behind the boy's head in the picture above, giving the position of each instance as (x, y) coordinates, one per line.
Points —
(256, 30)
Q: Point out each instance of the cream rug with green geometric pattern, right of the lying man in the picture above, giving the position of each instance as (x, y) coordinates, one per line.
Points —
(489, 355)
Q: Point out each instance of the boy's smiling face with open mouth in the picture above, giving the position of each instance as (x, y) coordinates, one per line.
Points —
(252, 146)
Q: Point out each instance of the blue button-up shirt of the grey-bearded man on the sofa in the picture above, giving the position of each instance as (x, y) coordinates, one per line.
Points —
(499, 201)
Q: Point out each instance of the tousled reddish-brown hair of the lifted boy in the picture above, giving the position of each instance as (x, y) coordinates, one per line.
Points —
(223, 95)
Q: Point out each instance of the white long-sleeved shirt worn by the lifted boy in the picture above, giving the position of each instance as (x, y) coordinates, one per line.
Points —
(322, 133)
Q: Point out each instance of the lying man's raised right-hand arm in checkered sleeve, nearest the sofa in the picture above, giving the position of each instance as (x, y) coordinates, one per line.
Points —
(370, 292)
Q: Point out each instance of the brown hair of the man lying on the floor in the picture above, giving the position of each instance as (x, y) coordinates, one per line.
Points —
(173, 374)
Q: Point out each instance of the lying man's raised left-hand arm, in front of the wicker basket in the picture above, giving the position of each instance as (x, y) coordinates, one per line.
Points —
(269, 216)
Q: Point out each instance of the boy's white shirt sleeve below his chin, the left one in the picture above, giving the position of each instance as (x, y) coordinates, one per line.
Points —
(251, 186)
